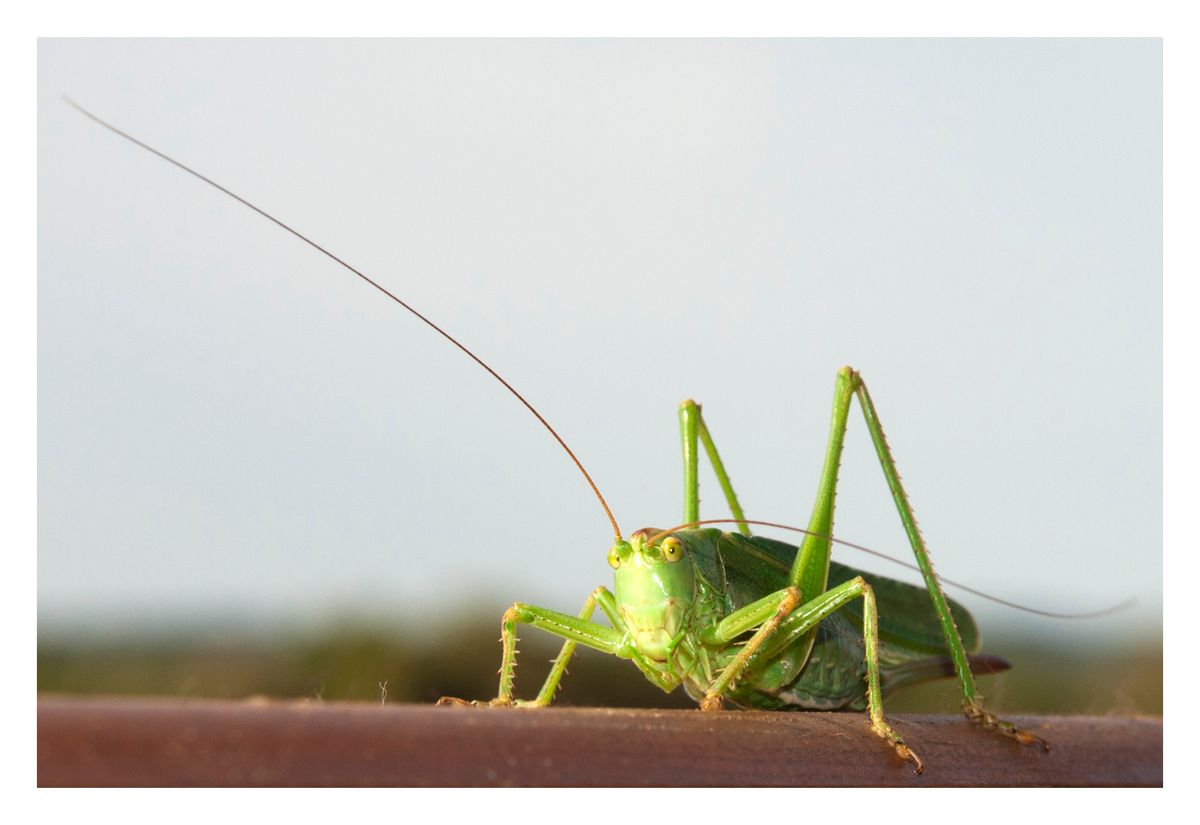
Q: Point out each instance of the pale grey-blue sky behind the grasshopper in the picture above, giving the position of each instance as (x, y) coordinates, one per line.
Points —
(232, 426)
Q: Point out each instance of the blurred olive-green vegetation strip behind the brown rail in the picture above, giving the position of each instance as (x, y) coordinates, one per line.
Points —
(352, 661)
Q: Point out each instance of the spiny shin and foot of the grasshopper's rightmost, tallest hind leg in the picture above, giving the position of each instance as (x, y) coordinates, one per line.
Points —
(973, 703)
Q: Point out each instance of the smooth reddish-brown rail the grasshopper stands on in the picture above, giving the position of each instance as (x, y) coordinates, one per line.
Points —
(260, 743)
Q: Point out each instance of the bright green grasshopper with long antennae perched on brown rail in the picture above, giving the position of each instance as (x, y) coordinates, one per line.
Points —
(743, 619)
